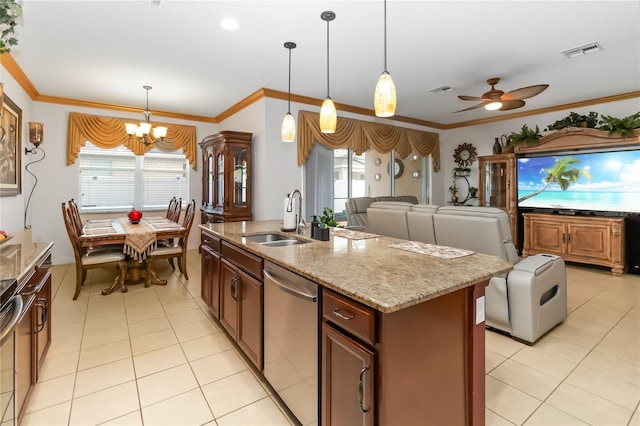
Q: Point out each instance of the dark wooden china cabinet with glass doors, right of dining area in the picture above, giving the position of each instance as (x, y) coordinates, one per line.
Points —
(226, 177)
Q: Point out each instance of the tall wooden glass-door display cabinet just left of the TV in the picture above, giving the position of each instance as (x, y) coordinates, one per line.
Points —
(498, 187)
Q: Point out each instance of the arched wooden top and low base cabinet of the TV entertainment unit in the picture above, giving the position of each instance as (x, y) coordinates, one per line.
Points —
(597, 240)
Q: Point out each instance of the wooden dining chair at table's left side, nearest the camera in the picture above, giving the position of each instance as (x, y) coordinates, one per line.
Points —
(88, 260)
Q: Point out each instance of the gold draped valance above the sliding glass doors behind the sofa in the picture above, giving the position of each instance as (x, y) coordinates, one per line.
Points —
(362, 135)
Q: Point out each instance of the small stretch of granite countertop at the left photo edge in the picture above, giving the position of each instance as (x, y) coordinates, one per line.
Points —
(19, 256)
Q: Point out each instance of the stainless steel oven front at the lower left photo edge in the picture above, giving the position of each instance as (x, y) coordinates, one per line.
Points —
(10, 312)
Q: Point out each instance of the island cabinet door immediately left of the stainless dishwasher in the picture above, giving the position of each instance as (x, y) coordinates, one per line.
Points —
(250, 323)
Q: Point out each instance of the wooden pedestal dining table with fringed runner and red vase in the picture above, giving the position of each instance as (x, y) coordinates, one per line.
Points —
(138, 239)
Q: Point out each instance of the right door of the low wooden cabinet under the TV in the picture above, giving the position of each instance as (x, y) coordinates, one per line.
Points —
(589, 240)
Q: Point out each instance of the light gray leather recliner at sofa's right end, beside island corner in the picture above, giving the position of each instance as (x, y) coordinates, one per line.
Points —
(528, 301)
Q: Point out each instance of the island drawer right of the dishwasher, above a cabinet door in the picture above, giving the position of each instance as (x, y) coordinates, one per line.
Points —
(350, 316)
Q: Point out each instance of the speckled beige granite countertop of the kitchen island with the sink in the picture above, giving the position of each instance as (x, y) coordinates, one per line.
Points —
(366, 270)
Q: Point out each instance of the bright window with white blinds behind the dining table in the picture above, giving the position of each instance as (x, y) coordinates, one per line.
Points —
(116, 179)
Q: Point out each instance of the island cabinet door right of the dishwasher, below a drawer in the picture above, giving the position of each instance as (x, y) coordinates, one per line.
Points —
(348, 378)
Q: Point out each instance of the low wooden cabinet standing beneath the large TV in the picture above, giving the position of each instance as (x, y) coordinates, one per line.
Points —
(584, 239)
